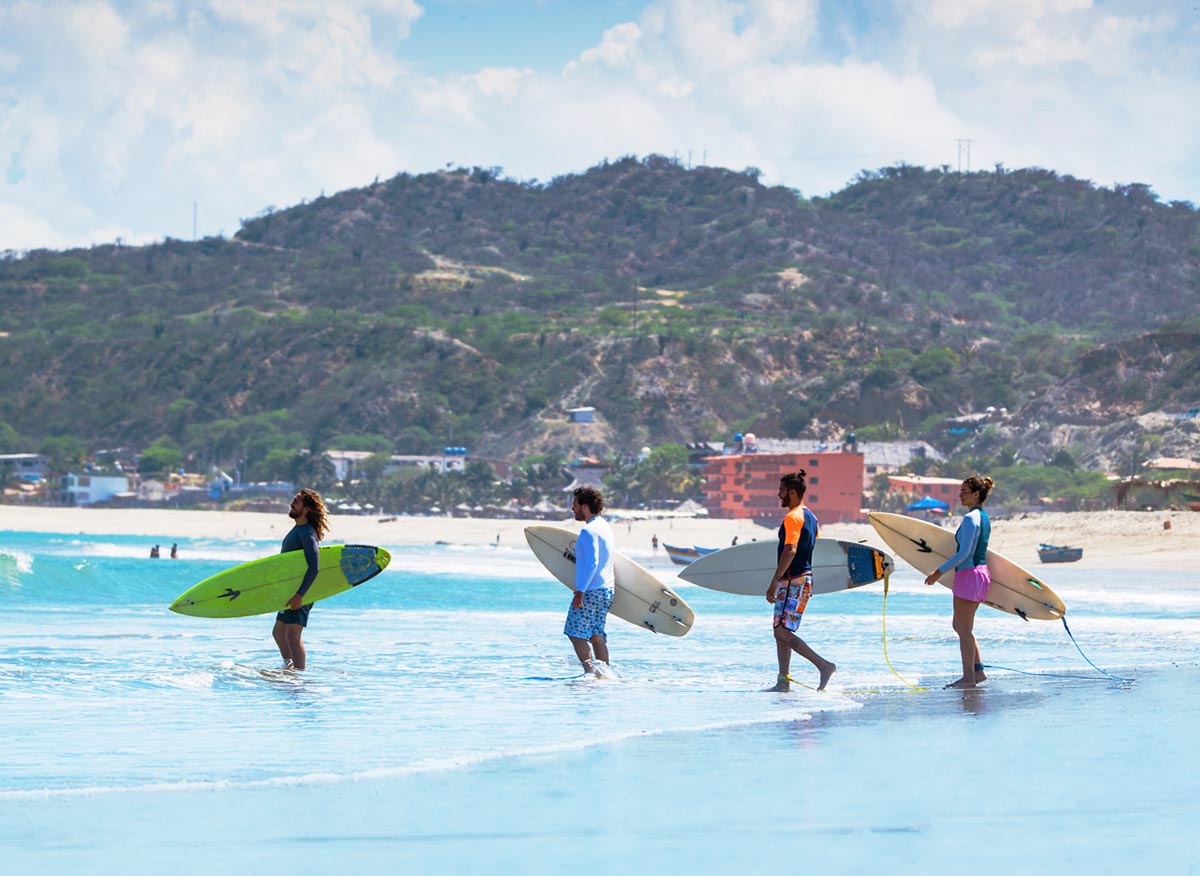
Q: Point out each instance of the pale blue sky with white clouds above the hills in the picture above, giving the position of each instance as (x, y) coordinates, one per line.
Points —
(118, 117)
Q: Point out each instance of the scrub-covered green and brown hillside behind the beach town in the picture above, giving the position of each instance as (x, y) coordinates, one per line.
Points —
(685, 304)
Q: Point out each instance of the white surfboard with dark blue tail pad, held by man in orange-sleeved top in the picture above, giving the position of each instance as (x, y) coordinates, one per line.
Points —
(747, 569)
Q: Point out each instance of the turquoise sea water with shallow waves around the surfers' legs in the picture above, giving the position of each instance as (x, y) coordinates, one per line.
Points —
(441, 728)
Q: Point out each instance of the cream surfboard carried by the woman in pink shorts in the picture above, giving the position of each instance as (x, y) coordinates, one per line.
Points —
(926, 547)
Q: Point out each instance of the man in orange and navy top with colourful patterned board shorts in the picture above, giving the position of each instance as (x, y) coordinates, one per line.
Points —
(791, 586)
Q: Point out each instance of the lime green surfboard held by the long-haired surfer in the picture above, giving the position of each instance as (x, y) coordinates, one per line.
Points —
(265, 586)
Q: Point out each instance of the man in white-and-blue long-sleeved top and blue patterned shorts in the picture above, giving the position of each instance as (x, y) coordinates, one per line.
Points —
(593, 583)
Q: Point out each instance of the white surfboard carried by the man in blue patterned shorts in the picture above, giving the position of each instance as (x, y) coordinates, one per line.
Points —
(641, 599)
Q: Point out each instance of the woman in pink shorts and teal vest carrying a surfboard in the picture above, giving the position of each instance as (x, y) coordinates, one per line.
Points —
(971, 577)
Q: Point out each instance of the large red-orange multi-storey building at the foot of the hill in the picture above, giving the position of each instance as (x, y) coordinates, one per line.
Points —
(747, 485)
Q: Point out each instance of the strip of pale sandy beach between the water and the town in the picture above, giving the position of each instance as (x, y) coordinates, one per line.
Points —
(1111, 539)
